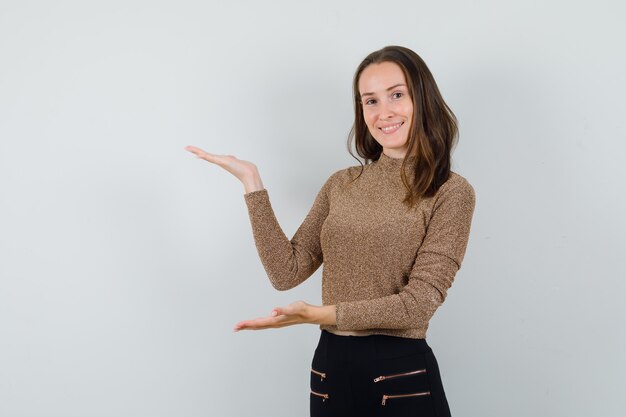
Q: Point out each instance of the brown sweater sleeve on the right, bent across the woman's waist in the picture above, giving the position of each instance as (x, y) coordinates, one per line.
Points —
(437, 261)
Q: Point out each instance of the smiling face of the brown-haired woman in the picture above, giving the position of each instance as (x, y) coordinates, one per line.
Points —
(387, 106)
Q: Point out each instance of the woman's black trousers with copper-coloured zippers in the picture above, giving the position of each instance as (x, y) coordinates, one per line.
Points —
(350, 364)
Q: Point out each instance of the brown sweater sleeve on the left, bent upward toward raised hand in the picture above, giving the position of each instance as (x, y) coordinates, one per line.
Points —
(288, 262)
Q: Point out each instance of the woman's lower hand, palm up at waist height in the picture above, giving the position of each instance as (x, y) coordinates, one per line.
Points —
(298, 312)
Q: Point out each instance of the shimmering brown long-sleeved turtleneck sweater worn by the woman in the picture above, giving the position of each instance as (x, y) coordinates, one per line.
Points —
(387, 268)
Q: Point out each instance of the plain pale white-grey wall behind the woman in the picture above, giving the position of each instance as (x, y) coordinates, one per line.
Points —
(125, 261)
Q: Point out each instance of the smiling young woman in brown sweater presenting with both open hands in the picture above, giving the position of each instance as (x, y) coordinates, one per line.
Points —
(391, 234)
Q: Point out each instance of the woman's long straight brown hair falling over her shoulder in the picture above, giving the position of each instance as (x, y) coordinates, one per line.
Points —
(432, 134)
